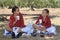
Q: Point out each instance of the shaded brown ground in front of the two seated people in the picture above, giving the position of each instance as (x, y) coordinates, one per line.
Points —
(57, 37)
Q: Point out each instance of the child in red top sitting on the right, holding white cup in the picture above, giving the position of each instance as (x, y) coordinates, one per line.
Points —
(43, 23)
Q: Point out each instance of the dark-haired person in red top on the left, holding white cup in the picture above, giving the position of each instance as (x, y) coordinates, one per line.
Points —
(15, 22)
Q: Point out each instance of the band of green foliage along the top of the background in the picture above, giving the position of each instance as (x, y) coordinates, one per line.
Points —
(27, 3)
